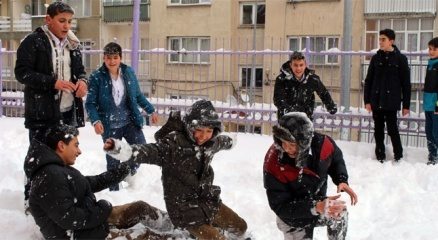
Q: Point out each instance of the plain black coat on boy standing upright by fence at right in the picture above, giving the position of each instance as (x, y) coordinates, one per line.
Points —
(388, 81)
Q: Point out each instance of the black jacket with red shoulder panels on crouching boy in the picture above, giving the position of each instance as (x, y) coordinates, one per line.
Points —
(292, 194)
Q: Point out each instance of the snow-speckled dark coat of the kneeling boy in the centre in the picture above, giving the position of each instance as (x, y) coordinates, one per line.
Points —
(190, 196)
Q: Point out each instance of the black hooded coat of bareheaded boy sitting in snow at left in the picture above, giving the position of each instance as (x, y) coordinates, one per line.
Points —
(61, 198)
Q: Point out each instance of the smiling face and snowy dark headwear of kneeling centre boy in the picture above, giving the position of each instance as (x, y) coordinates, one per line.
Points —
(202, 121)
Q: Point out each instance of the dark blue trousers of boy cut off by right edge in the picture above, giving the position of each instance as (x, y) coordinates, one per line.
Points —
(432, 134)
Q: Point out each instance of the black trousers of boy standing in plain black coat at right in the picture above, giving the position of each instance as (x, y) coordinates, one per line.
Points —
(381, 117)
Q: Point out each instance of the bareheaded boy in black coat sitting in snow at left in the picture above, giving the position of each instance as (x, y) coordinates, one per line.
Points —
(61, 199)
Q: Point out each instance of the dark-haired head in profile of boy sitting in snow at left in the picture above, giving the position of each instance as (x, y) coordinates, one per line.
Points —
(63, 139)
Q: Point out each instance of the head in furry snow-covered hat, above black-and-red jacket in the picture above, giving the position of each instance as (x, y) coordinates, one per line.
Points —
(294, 134)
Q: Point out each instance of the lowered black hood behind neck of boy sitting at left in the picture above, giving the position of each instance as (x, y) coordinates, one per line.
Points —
(38, 156)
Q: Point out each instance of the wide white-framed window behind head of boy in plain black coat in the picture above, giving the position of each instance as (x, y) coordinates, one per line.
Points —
(411, 34)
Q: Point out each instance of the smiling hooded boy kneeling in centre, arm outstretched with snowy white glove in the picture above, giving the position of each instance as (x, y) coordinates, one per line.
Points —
(184, 155)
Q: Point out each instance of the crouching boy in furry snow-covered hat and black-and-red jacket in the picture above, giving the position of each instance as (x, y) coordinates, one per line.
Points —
(296, 170)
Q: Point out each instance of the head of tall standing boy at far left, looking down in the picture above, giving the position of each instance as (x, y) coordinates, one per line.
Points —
(59, 16)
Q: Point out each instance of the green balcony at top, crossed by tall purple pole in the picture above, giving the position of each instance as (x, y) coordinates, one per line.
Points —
(122, 11)
